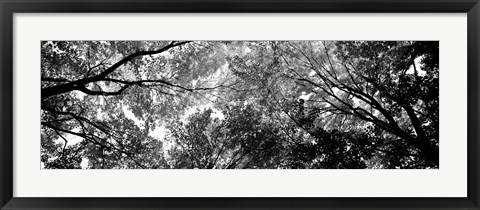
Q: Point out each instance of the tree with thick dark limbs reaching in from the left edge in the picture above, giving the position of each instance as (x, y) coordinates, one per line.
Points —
(87, 86)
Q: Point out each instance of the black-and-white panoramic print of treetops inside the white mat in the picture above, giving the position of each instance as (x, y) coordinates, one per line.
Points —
(239, 105)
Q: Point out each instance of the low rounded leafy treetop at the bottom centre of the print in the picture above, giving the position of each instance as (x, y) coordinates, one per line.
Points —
(240, 140)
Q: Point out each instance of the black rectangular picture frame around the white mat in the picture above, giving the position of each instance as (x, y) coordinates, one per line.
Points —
(9, 7)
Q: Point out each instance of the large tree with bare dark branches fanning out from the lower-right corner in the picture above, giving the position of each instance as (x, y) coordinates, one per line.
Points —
(390, 86)
